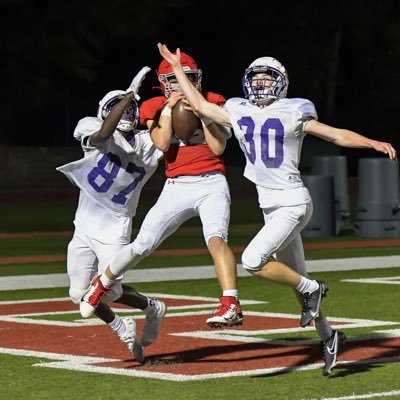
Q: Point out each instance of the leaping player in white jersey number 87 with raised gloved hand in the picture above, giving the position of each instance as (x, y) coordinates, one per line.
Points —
(118, 161)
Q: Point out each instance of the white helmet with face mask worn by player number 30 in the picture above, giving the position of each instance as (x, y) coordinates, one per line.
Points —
(261, 92)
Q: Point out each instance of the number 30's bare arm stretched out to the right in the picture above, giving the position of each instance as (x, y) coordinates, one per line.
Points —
(347, 138)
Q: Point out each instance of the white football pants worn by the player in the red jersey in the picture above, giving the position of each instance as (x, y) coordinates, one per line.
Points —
(182, 198)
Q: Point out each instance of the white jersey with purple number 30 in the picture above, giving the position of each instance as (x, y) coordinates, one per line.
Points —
(271, 139)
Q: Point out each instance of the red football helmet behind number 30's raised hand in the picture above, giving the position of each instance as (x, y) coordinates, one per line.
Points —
(189, 65)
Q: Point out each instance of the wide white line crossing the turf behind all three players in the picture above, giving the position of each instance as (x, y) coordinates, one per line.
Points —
(197, 272)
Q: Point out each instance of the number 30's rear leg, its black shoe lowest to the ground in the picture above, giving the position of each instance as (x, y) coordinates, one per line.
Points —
(332, 341)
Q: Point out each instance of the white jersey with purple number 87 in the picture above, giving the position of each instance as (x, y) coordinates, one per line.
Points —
(111, 178)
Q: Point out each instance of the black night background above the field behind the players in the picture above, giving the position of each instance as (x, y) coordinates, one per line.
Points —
(60, 57)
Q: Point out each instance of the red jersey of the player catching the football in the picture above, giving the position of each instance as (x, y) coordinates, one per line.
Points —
(192, 157)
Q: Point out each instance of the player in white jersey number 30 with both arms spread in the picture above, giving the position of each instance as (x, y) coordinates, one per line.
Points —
(270, 129)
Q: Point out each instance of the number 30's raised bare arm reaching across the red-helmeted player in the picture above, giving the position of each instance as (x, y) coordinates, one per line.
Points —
(199, 104)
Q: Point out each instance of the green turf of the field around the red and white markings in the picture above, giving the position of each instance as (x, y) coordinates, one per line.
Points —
(379, 301)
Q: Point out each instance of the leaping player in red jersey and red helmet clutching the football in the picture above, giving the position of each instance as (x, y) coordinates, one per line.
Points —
(195, 187)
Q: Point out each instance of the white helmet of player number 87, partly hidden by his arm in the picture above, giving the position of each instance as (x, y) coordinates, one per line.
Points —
(130, 117)
